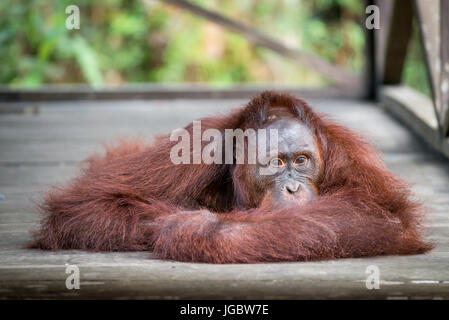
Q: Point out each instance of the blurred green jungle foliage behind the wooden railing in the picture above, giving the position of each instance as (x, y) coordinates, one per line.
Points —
(135, 41)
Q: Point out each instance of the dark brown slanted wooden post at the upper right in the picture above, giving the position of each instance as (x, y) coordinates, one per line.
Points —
(399, 34)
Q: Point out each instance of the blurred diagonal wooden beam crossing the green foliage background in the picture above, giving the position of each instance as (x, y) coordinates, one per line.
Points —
(338, 74)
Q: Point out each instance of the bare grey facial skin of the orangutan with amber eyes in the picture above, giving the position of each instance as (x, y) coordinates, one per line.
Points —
(295, 173)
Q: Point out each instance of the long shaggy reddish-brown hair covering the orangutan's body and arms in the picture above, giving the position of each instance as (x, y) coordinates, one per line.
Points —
(135, 198)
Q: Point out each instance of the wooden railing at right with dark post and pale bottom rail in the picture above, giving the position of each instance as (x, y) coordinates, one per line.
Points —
(430, 118)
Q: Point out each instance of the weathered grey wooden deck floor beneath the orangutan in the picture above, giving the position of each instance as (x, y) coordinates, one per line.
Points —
(42, 149)
